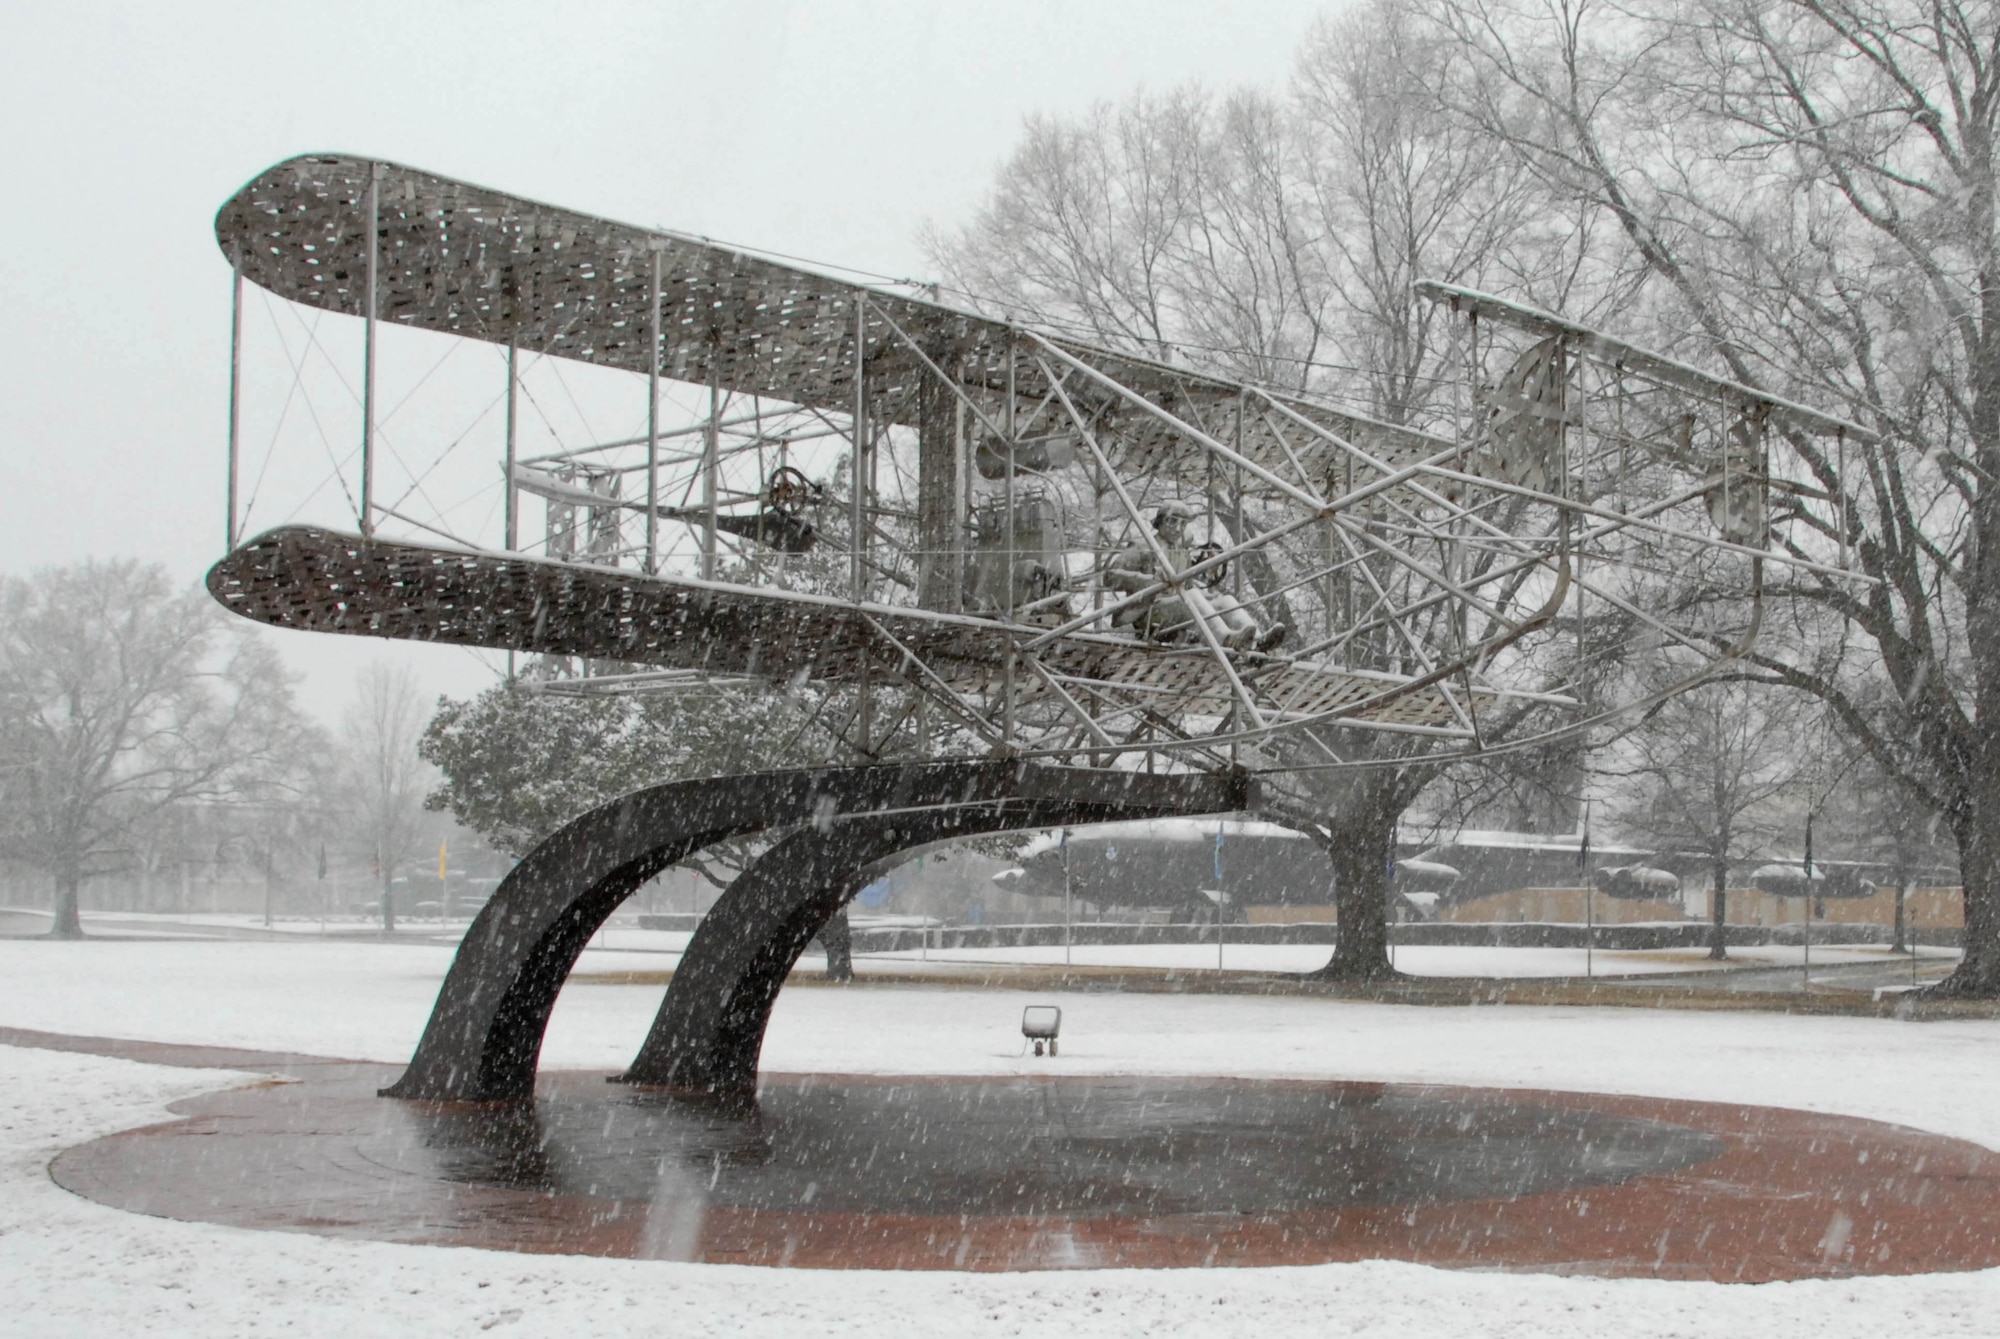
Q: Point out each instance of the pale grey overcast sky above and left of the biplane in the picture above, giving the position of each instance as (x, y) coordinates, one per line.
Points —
(825, 131)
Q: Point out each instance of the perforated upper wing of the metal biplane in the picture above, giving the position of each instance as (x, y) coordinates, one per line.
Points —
(491, 267)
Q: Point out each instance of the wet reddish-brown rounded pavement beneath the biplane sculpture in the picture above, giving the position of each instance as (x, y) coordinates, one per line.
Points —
(1065, 1172)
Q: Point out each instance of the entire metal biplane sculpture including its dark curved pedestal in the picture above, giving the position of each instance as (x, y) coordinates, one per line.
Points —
(1059, 583)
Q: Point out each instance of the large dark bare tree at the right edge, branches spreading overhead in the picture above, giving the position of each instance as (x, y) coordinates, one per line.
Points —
(1811, 187)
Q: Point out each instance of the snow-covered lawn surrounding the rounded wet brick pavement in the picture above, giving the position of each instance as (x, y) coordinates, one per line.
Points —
(75, 1268)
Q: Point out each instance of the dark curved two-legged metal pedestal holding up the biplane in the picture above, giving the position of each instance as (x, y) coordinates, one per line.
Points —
(485, 1034)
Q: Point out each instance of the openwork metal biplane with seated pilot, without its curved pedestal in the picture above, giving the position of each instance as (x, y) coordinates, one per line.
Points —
(1009, 539)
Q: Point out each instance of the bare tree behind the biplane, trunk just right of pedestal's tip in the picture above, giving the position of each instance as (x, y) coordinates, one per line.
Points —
(1275, 241)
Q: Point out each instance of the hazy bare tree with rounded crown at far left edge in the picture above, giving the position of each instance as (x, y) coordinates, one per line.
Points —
(123, 700)
